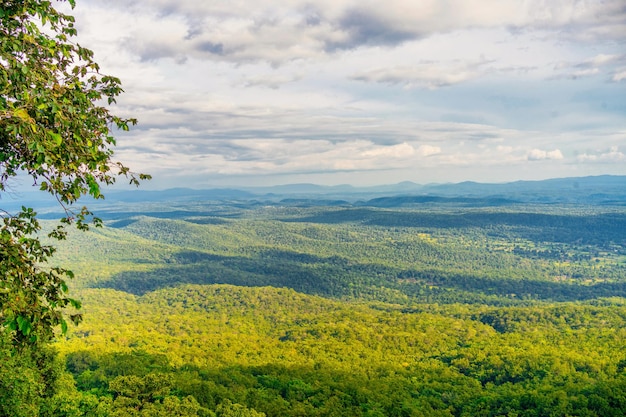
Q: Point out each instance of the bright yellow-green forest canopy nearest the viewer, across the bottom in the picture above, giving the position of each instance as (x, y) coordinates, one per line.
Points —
(282, 353)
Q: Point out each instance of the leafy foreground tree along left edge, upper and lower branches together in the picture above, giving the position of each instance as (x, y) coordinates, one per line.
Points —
(55, 128)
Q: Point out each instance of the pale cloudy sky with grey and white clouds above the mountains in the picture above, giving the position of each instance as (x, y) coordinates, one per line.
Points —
(262, 92)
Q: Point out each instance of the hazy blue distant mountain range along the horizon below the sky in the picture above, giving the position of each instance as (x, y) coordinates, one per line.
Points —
(594, 190)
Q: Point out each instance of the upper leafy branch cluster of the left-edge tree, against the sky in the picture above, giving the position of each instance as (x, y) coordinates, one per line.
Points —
(52, 124)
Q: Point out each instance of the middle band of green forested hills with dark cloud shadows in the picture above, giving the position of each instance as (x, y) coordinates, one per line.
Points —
(385, 255)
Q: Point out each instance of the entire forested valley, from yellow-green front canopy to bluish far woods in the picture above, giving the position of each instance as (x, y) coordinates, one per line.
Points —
(277, 310)
